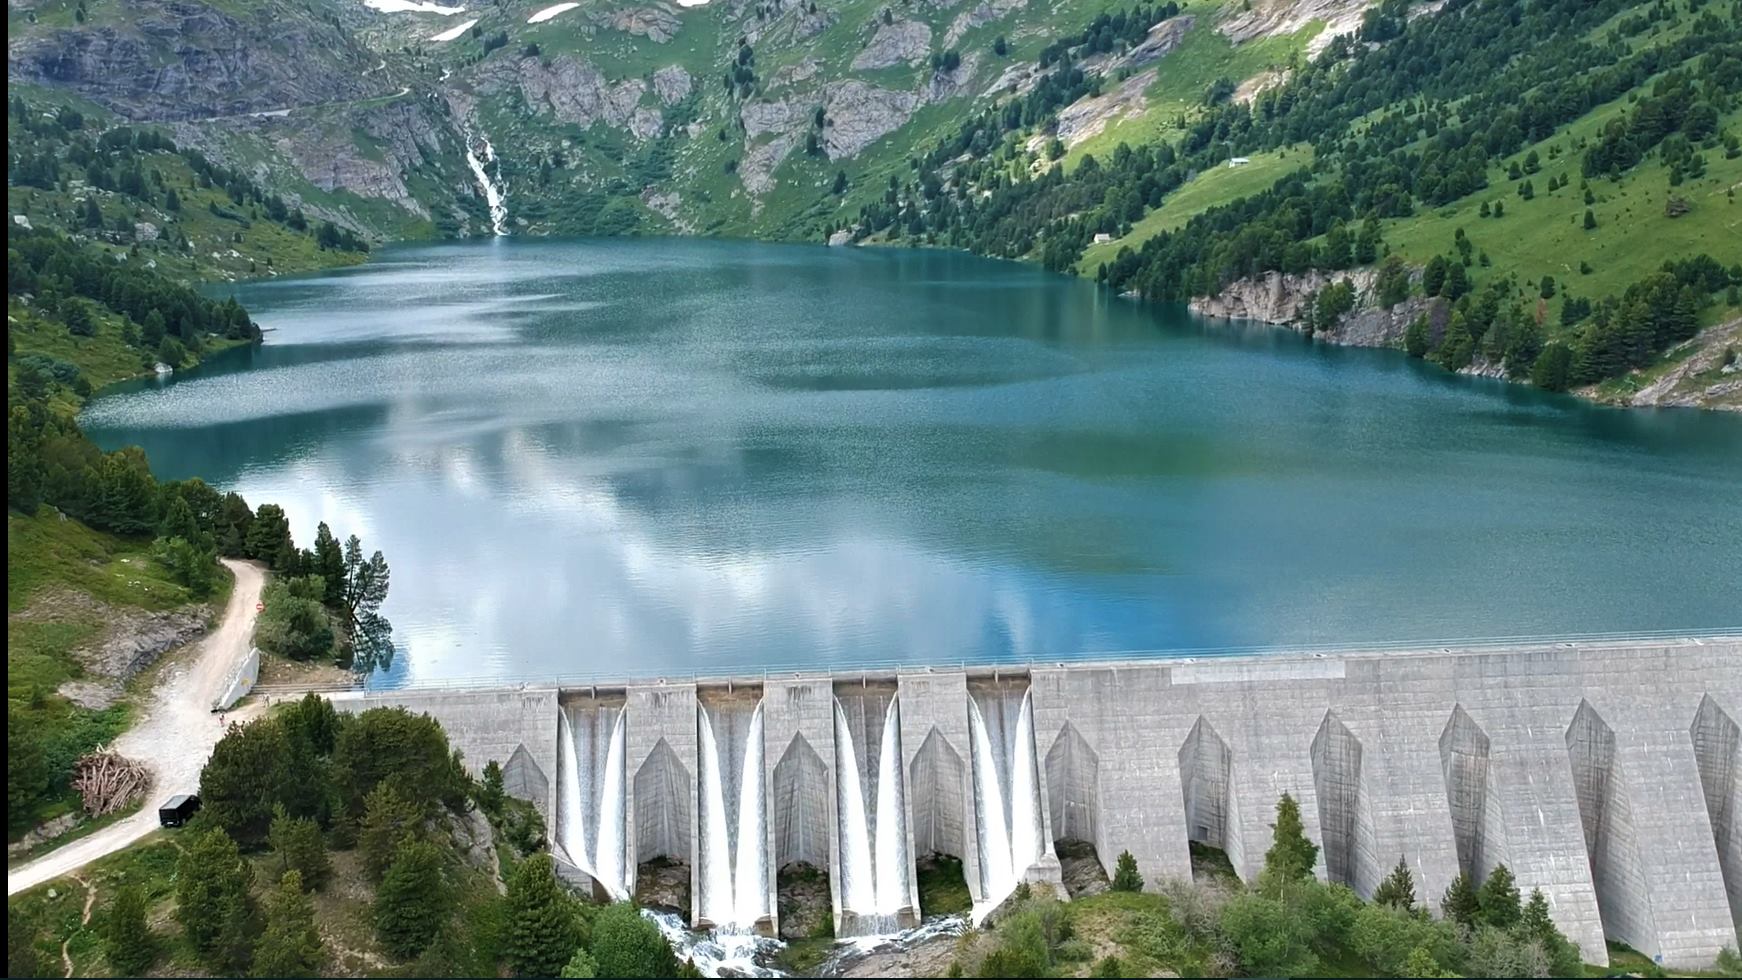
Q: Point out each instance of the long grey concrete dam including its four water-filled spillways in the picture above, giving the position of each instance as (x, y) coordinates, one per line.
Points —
(1605, 774)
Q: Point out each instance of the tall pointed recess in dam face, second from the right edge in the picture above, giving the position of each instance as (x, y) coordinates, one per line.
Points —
(1605, 810)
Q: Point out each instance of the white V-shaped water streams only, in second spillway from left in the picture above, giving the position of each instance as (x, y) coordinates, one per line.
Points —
(734, 868)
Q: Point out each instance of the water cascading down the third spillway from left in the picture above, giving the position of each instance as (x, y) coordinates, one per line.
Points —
(877, 890)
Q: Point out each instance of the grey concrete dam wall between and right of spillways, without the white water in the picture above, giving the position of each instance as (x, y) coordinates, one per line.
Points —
(1609, 775)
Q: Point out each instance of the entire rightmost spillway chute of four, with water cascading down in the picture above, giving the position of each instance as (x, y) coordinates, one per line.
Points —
(1006, 788)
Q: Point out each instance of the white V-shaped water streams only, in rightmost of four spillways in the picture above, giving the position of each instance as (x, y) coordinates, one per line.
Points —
(1009, 826)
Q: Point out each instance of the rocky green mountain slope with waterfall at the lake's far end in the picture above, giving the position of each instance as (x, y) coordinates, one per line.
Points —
(642, 116)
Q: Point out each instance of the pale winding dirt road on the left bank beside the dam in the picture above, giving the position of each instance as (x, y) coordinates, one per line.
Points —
(175, 737)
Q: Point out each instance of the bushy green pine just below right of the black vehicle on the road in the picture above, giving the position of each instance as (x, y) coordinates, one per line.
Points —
(213, 901)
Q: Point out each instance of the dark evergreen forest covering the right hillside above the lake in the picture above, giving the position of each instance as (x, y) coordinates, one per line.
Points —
(1412, 114)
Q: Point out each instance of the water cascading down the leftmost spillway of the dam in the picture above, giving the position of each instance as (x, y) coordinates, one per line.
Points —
(591, 807)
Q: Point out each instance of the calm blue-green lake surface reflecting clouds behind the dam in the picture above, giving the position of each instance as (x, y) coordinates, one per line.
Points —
(682, 457)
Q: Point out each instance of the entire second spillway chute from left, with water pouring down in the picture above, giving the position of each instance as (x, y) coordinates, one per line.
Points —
(733, 880)
